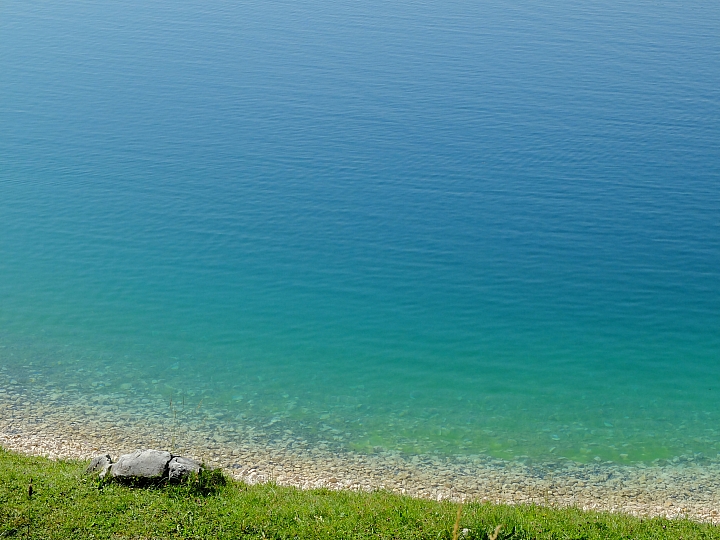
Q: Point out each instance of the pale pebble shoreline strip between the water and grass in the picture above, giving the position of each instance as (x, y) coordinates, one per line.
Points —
(688, 489)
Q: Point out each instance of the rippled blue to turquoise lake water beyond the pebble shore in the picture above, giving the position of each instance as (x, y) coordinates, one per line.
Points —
(450, 227)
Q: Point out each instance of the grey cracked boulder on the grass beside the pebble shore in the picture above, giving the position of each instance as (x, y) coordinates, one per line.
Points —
(144, 465)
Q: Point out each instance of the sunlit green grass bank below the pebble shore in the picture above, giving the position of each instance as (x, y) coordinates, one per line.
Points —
(68, 504)
